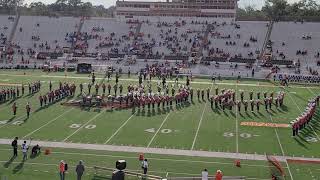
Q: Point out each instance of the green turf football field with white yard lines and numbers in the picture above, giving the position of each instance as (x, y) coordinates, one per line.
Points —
(192, 127)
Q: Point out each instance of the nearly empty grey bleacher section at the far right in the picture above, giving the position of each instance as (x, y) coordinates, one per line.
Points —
(289, 37)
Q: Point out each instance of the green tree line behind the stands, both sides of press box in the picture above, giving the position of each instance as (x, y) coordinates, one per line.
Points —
(271, 10)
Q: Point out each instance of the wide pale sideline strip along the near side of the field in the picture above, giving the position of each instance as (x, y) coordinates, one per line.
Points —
(159, 151)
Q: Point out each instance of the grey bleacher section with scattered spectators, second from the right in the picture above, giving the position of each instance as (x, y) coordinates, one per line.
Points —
(244, 39)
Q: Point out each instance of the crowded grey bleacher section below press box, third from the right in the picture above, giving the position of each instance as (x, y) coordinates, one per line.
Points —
(178, 38)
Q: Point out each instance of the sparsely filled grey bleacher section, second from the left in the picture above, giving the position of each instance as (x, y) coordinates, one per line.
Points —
(34, 31)
